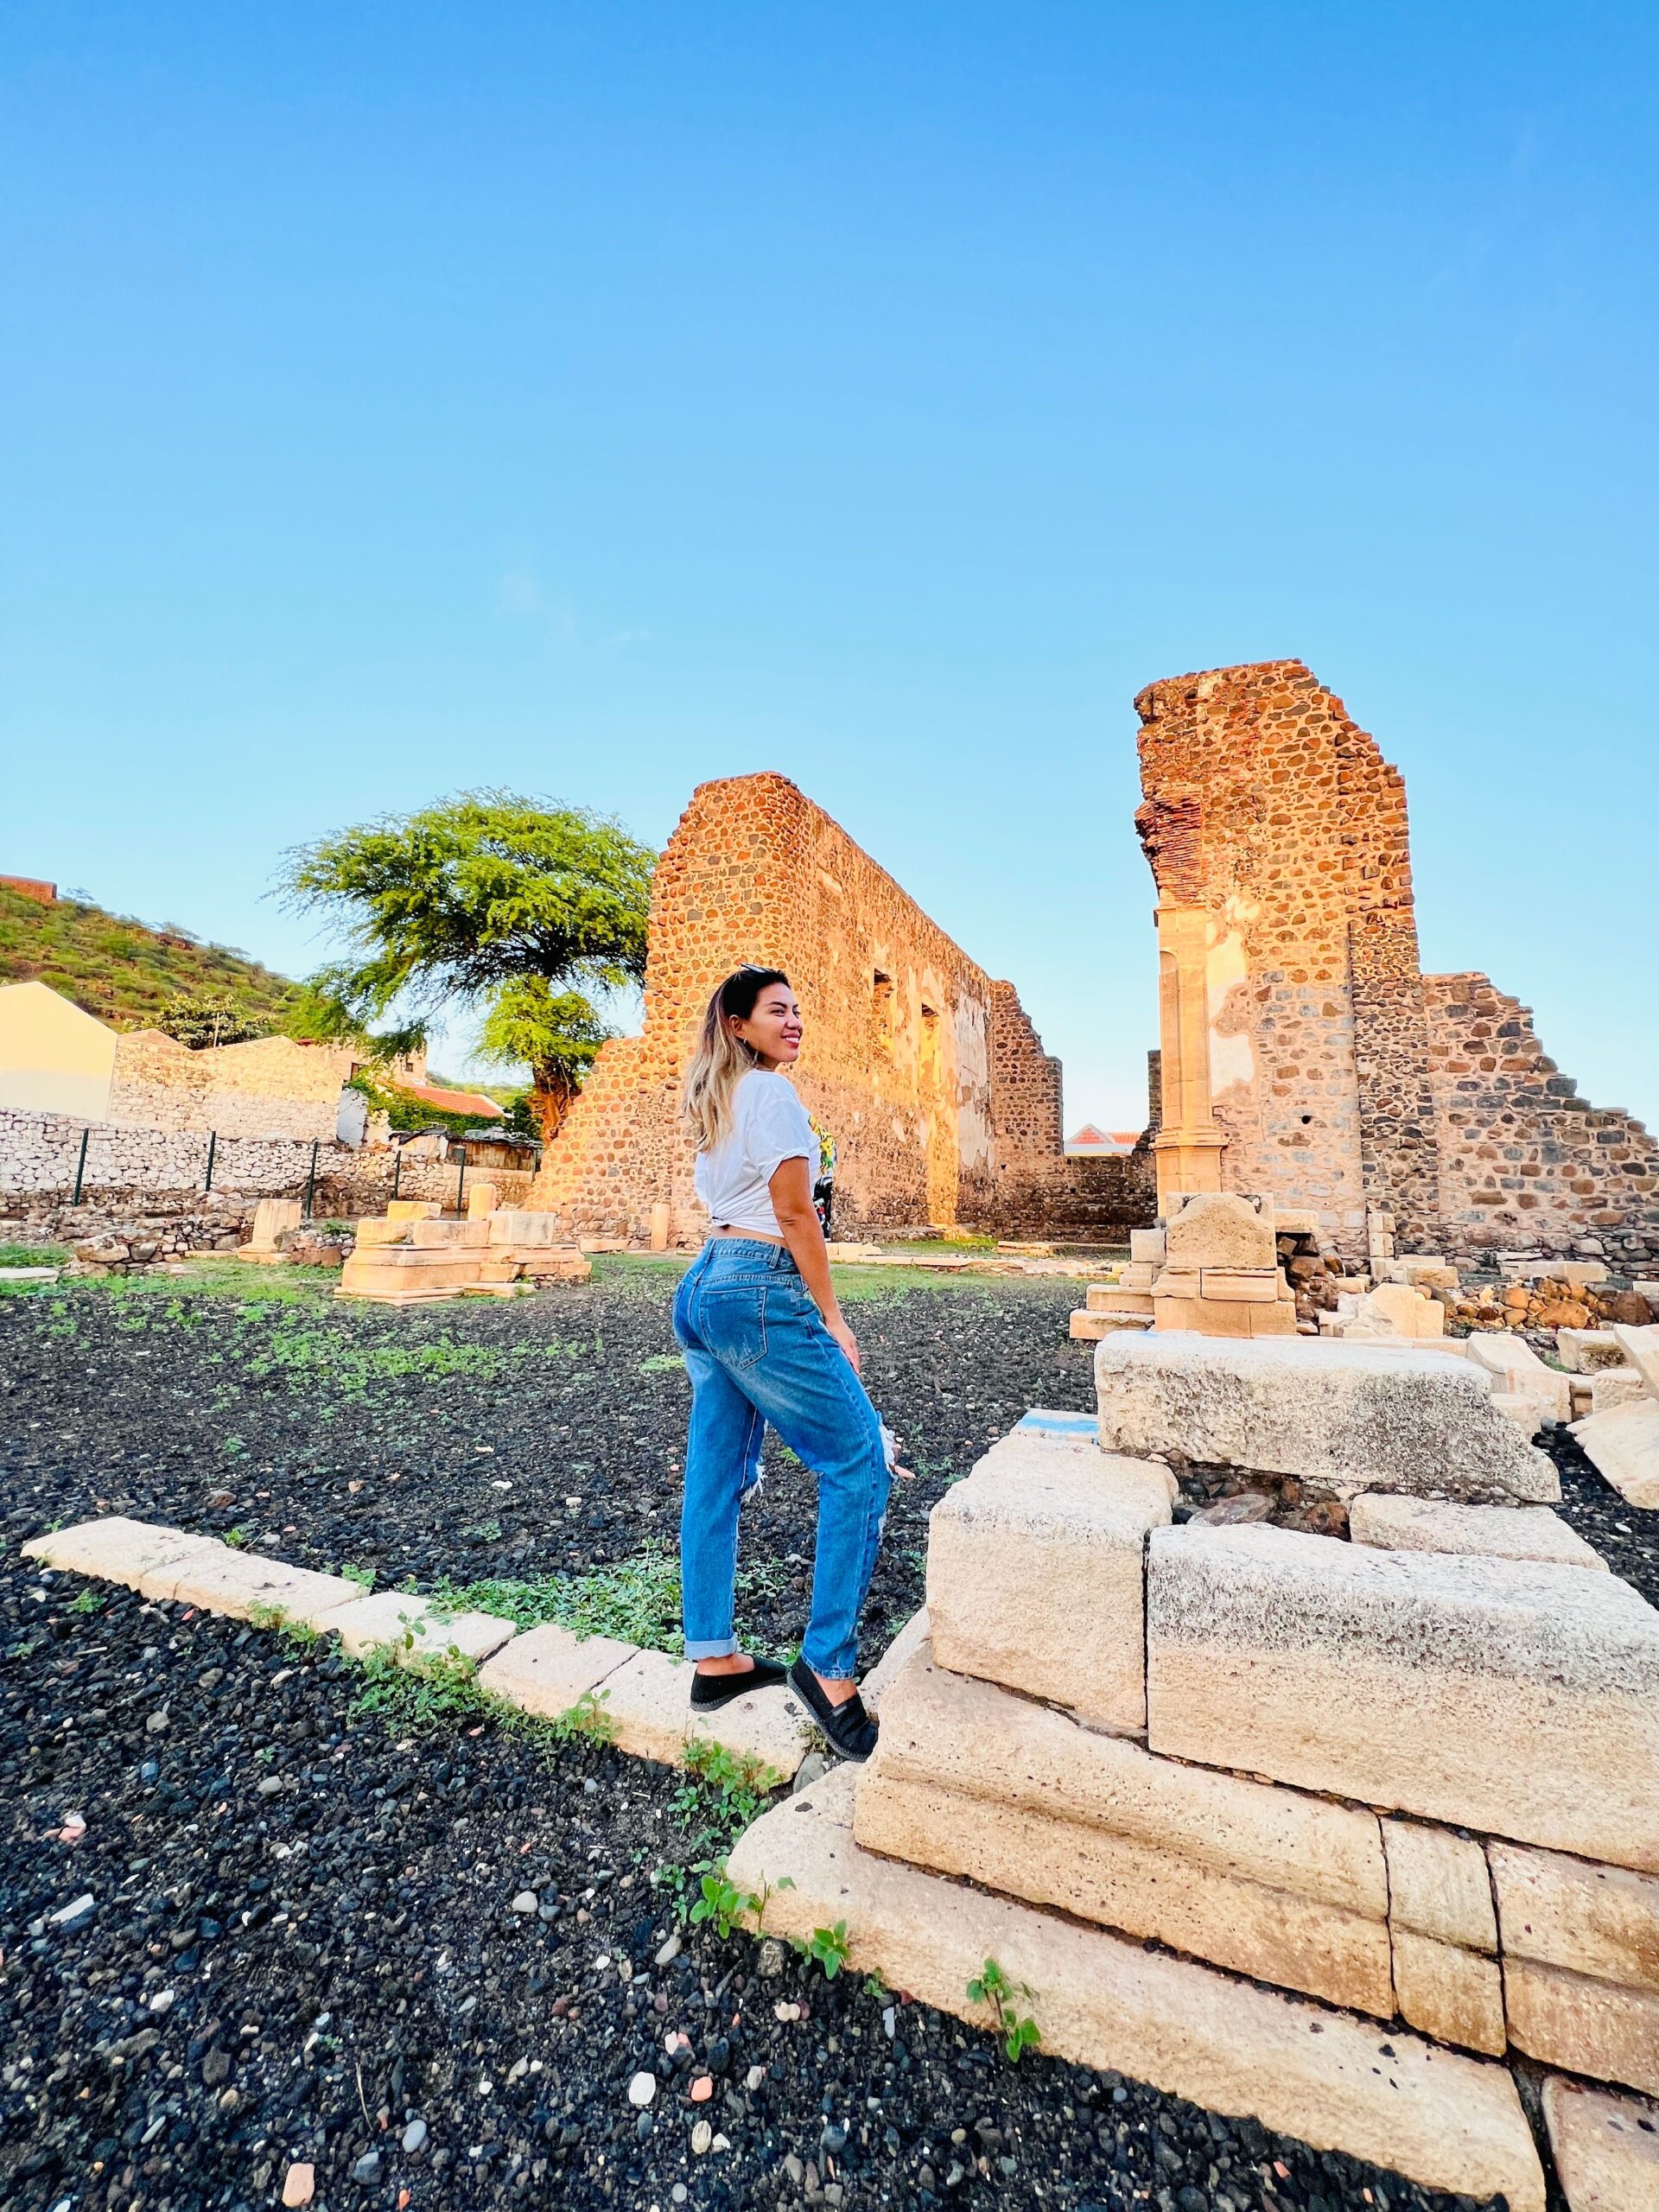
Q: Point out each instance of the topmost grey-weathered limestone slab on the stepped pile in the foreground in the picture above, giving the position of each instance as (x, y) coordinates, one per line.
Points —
(1344, 1417)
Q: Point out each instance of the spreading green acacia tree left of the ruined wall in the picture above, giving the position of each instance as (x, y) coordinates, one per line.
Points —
(492, 901)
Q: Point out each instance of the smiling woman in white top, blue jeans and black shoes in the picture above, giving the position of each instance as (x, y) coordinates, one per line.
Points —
(766, 1344)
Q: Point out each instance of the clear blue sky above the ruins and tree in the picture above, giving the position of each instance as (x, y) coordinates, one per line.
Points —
(598, 399)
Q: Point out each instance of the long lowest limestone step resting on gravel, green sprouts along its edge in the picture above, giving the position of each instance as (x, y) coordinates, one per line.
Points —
(1331, 2078)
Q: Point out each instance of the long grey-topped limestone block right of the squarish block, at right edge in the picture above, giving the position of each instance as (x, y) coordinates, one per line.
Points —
(1501, 1695)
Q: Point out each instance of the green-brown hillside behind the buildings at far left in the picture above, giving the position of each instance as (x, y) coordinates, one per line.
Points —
(125, 972)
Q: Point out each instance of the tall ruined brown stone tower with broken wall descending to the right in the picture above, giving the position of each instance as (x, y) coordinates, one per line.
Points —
(1304, 1052)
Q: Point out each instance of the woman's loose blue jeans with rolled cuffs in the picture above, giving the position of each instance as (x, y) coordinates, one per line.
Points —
(758, 1353)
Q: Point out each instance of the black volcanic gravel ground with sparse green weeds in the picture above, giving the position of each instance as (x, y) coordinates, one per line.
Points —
(324, 1903)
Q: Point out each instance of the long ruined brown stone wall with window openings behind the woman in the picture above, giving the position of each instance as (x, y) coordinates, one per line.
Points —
(930, 1076)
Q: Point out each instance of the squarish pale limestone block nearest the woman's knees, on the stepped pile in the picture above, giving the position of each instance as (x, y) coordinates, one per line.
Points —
(1032, 1523)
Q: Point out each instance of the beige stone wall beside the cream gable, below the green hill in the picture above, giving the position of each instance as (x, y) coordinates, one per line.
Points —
(267, 1087)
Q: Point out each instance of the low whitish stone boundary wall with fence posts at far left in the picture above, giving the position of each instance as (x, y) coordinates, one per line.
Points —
(134, 1165)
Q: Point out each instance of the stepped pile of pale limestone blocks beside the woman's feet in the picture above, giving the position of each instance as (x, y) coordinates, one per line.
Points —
(1326, 1833)
